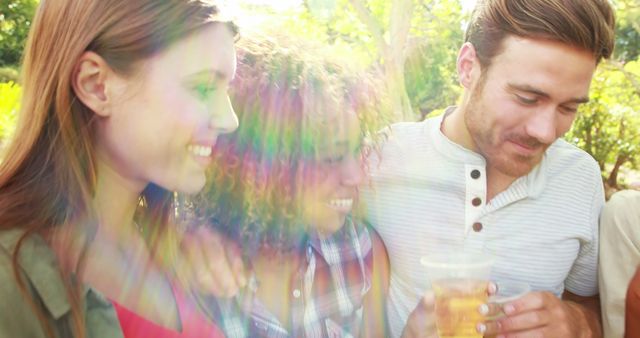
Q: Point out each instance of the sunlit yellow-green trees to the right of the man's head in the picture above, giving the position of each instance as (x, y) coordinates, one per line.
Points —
(608, 127)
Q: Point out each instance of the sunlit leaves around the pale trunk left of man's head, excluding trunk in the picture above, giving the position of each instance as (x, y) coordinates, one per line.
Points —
(432, 44)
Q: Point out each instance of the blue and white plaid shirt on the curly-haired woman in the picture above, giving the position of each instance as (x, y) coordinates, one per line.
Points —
(327, 292)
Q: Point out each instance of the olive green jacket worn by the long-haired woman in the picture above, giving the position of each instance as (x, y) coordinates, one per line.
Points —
(39, 268)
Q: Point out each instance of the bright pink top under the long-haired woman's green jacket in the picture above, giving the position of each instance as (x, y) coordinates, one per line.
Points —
(194, 323)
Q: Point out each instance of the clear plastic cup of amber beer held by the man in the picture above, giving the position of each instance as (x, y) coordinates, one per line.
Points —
(459, 282)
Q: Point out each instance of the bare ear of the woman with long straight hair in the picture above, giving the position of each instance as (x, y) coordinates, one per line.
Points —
(89, 81)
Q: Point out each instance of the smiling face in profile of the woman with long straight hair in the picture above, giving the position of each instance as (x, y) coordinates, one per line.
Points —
(169, 115)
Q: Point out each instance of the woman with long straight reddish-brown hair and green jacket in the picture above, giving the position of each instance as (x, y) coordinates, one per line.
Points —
(122, 104)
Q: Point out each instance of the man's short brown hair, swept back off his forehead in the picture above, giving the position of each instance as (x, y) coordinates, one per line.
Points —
(589, 25)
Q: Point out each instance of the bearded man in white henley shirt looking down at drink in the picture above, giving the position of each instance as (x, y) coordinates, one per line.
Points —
(493, 174)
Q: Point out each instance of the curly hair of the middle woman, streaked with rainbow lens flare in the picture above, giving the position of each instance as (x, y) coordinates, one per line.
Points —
(285, 93)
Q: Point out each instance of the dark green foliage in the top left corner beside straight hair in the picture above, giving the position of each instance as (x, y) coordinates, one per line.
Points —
(15, 20)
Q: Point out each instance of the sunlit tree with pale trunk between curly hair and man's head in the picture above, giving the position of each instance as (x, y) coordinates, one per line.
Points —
(413, 44)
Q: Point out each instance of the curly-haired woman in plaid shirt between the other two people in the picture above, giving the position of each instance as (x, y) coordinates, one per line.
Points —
(284, 185)
